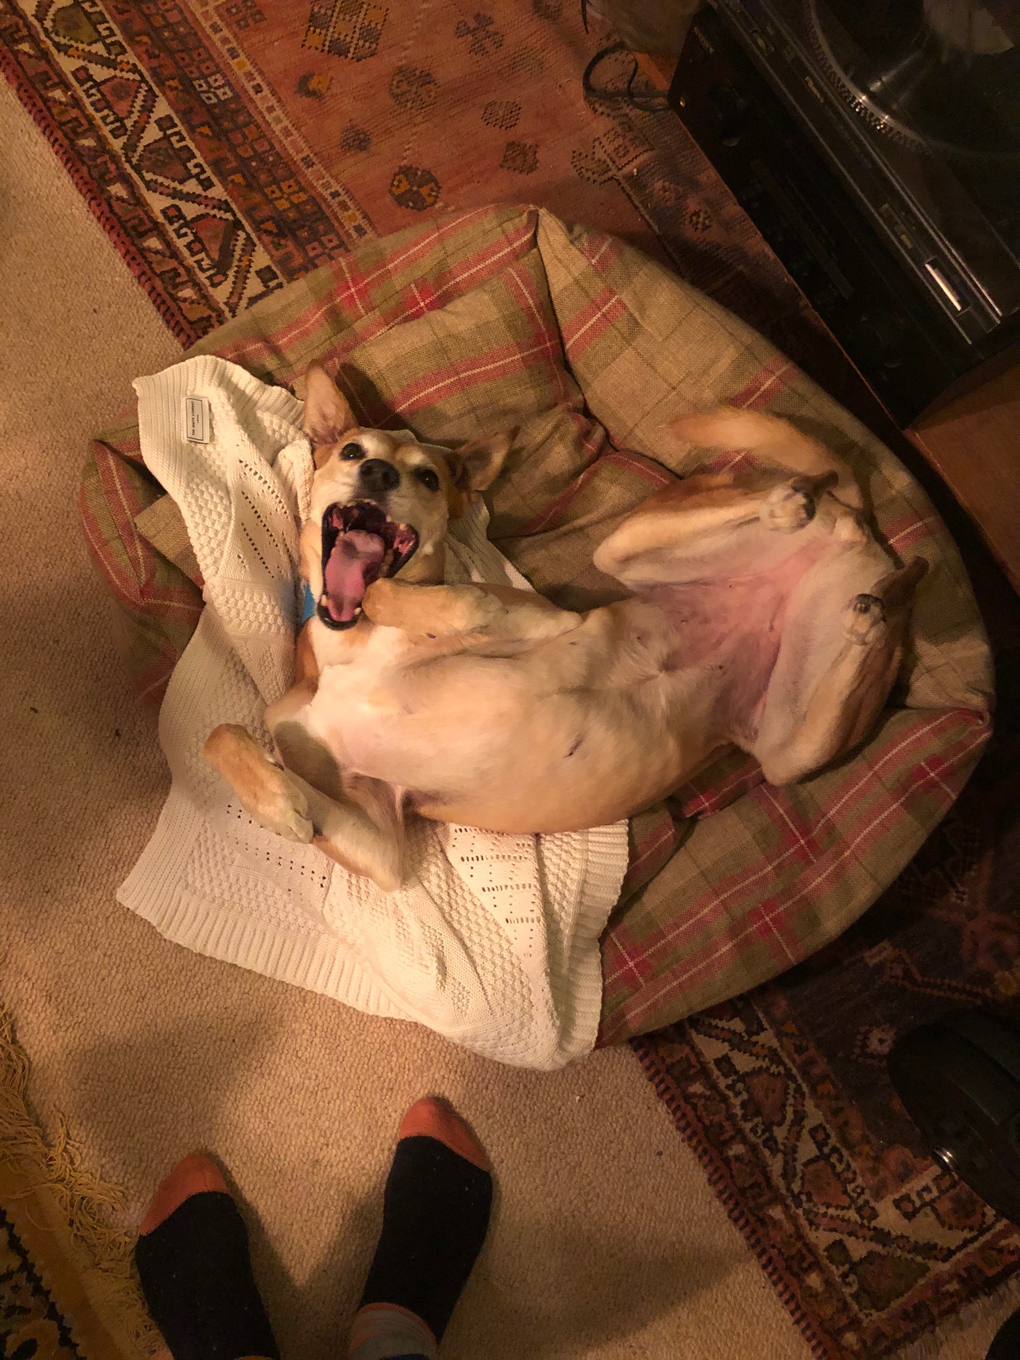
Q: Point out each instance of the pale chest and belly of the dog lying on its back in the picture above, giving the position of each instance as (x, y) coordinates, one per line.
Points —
(512, 745)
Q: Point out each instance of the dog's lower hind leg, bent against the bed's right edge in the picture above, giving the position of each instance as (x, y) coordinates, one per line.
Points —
(841, 651)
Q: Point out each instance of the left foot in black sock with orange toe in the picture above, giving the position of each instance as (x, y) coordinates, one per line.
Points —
(195, 1270)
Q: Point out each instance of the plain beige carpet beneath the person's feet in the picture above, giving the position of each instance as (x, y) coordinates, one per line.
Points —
(607, 1240)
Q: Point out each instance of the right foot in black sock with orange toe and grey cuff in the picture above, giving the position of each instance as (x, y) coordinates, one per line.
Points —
(435, 1221)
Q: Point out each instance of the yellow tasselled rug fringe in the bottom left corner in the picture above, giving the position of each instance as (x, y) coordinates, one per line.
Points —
(88, 1204)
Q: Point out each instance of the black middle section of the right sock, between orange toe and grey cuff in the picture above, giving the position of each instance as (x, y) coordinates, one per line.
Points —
(435, 1221)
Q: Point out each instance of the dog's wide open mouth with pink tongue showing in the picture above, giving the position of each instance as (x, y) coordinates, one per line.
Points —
(360, 545)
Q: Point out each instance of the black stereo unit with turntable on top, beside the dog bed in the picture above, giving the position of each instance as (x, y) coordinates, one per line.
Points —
(877, 146)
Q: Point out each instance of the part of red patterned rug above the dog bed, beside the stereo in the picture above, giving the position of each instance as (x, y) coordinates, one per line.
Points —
(231, 146)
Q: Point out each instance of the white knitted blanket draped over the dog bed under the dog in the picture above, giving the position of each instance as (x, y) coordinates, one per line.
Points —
(494, 940)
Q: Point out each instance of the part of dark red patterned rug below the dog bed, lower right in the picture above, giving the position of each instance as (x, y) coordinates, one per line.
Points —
(785, 1097)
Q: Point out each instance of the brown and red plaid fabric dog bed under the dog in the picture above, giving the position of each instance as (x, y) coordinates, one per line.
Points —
(508, 316)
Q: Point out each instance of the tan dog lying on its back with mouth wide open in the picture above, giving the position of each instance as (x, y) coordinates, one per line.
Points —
(764, 615)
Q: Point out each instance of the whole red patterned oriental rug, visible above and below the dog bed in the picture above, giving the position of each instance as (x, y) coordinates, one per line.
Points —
(231, 146)
